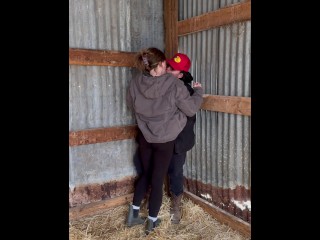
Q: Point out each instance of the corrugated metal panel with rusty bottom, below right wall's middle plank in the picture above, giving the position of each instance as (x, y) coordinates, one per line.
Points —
(218, 168)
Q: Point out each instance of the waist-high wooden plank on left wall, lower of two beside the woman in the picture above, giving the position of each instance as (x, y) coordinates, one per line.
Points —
(99, 135)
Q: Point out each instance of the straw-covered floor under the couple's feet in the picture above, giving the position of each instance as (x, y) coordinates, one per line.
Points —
(195, 224)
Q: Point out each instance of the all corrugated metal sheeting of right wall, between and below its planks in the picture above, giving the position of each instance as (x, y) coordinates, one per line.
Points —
(218, 167)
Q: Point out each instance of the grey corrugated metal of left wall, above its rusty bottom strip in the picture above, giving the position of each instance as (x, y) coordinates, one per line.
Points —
(97, 93)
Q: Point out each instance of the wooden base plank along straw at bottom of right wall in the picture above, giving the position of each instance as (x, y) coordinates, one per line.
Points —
(221, 215)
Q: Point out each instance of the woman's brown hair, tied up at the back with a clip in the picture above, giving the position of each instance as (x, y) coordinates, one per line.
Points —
(149, 58)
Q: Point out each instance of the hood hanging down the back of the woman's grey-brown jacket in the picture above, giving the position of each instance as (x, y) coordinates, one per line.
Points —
(154, 87)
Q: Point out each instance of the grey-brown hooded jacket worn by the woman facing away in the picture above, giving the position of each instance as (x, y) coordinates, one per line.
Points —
(160, 105)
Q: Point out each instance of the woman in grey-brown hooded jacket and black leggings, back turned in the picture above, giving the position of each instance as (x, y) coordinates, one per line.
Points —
(160, 103)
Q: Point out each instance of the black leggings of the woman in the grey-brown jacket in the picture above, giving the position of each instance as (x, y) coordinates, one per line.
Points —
(155, 158)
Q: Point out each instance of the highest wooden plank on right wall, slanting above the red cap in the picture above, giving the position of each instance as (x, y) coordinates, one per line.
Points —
(224, 16)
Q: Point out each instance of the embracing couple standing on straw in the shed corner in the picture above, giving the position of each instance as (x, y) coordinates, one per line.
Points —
(164, 104)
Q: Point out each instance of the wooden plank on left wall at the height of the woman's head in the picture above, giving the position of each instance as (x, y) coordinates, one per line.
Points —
(89, 57)
